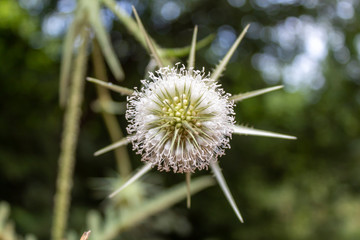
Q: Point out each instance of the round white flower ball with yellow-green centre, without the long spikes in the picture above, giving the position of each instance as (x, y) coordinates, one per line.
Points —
(180, 120)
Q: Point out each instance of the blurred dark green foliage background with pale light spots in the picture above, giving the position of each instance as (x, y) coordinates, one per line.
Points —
(303, 189)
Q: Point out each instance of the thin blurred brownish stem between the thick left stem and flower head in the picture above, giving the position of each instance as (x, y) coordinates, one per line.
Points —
(121, 155)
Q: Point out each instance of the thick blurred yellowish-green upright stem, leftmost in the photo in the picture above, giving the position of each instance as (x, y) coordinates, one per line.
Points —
(69, 141)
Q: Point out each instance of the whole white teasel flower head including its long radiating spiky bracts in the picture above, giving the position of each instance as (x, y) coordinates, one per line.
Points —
(181, 120)
